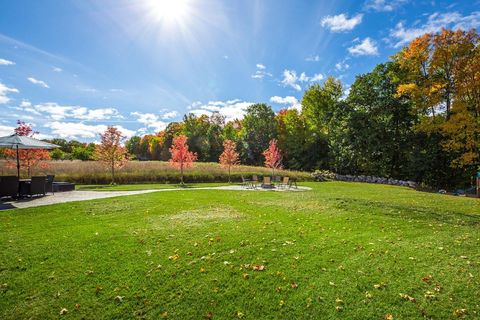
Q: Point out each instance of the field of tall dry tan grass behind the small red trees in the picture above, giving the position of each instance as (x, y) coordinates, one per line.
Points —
(93, 172)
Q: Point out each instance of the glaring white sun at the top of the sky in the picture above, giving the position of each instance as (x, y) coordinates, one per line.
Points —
(168, 10)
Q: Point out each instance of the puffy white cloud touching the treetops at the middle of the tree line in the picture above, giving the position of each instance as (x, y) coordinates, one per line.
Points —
(231, 109)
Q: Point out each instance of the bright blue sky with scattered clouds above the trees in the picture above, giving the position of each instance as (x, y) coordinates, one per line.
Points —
(72, 67)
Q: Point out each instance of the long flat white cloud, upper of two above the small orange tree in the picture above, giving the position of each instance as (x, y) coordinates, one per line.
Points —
(54, 111)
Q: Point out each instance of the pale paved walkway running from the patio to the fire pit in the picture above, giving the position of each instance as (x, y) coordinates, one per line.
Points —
(80, 195)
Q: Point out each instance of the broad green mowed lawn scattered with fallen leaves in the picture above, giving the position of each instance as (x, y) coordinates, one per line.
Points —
(342, 250)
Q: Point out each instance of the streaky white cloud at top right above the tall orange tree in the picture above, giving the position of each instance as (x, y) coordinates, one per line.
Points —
(435, 22)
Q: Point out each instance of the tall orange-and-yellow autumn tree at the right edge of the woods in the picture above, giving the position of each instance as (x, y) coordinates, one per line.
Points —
(442, 76)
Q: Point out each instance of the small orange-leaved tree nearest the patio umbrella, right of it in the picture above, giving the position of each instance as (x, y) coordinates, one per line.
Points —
(110, 150)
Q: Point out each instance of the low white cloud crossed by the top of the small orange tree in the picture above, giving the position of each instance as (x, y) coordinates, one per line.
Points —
(75, 130)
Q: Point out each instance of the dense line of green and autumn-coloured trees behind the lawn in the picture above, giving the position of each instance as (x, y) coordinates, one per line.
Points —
(414, 117)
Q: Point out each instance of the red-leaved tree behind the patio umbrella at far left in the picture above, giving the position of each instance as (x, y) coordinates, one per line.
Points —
(29, 158)
